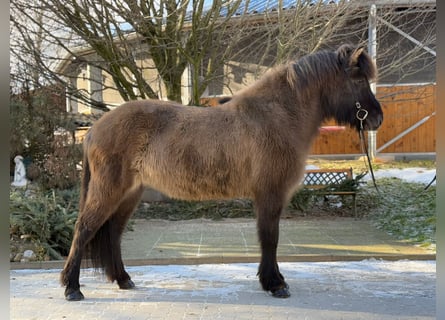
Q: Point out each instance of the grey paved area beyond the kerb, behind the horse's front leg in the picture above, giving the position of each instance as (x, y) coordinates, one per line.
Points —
(235, 240)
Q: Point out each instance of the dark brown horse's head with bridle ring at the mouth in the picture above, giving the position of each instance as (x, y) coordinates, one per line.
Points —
(364, 111)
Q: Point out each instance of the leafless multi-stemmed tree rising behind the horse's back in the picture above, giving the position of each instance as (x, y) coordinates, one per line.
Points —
(175, 33)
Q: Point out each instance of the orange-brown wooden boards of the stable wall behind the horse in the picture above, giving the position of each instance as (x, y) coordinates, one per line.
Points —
(409, 124)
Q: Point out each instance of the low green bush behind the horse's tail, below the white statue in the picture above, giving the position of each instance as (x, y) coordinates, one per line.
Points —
(46, 218)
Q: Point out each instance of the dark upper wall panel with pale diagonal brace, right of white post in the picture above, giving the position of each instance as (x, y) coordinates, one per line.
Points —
(407, 42)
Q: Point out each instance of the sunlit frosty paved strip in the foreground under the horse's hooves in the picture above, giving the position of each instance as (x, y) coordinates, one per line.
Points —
(369, 289)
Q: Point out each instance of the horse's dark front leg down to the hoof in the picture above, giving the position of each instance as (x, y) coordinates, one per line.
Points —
(268, 220)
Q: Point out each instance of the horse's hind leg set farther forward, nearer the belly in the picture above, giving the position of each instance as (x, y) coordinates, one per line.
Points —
(113, 264)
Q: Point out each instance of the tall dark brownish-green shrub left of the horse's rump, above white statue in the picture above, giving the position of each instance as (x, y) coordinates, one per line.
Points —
(44, 134)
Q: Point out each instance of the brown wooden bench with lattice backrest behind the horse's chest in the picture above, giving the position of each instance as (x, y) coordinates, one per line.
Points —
(331, 182)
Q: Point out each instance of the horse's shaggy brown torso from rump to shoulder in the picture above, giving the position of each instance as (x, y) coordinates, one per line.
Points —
(194, 153)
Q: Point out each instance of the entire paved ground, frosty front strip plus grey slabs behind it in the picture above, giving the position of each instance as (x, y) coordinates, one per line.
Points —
(187, 270)
